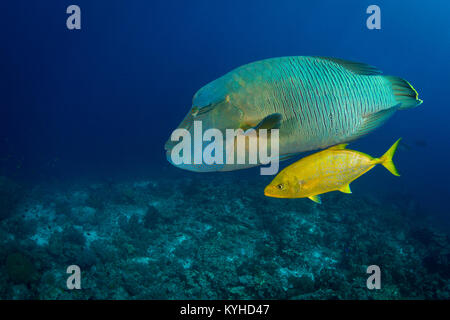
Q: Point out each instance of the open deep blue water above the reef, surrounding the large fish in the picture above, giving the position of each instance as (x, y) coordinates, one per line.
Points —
(99, 103)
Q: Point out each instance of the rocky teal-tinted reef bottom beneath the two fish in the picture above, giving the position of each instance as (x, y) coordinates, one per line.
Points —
(186, 238)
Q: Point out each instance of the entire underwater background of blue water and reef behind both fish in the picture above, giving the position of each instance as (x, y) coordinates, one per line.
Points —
(84, 115)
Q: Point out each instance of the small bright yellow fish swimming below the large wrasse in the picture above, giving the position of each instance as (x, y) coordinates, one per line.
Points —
(332, 169)
